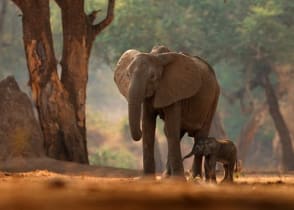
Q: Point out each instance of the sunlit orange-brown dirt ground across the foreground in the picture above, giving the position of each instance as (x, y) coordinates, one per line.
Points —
(50, 191)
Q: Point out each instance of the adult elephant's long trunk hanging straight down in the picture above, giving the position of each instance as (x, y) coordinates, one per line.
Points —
(136, 96)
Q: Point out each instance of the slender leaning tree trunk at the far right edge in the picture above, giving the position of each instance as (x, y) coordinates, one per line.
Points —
(279, 122)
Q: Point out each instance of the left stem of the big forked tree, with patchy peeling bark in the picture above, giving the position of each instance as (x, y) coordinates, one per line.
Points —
(57, 115)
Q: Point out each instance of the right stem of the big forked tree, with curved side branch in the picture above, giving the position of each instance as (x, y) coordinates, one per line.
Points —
(78, 37)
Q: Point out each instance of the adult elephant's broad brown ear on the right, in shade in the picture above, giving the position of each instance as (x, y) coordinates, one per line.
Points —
(181, 79)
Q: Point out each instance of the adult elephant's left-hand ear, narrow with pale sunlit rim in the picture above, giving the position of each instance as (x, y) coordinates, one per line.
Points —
(121, 76)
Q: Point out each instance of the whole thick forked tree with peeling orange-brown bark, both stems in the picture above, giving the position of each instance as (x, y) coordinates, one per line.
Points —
(60, 103)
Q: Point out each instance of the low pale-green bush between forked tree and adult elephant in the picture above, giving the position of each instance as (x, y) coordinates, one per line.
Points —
(113, 157)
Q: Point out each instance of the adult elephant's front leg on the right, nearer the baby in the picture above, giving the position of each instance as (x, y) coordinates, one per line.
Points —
(172, 129)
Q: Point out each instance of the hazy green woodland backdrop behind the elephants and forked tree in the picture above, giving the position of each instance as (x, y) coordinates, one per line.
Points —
(228, 35)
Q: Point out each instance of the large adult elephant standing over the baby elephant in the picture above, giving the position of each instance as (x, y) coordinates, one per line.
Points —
(181, 89)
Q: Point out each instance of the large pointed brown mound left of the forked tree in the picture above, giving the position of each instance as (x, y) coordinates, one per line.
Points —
(20, 133)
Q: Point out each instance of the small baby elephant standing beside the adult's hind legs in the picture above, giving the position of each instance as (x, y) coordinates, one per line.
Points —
(214, 150)
